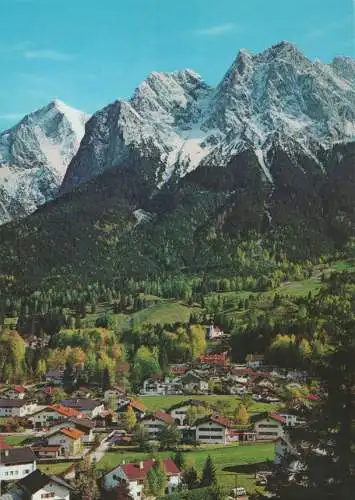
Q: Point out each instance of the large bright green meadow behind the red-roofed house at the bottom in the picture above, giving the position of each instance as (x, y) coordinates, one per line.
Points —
(233, 463)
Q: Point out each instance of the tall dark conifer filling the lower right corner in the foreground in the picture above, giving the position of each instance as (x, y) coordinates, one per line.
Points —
(324, 447)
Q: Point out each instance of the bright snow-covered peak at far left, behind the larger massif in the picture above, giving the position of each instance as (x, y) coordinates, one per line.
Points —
(34, 156)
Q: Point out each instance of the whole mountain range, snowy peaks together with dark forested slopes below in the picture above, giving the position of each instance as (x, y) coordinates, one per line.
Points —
(182, 166)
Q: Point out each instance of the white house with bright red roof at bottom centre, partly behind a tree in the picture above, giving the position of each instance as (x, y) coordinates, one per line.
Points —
(136, 474)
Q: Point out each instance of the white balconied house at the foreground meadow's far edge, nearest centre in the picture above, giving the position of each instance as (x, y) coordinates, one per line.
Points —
(213, 430)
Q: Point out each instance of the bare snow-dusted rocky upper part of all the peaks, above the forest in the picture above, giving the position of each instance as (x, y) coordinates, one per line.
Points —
(277, 98)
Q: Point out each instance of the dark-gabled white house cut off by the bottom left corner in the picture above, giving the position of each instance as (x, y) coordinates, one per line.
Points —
(37, 486)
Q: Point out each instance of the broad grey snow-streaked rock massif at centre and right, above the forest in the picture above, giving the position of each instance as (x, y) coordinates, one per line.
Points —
(277, 99)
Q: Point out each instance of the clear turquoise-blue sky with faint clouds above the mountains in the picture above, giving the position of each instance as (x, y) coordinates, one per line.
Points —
(89, 53)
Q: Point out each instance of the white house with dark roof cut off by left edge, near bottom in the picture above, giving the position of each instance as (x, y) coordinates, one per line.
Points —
(16, 463)
